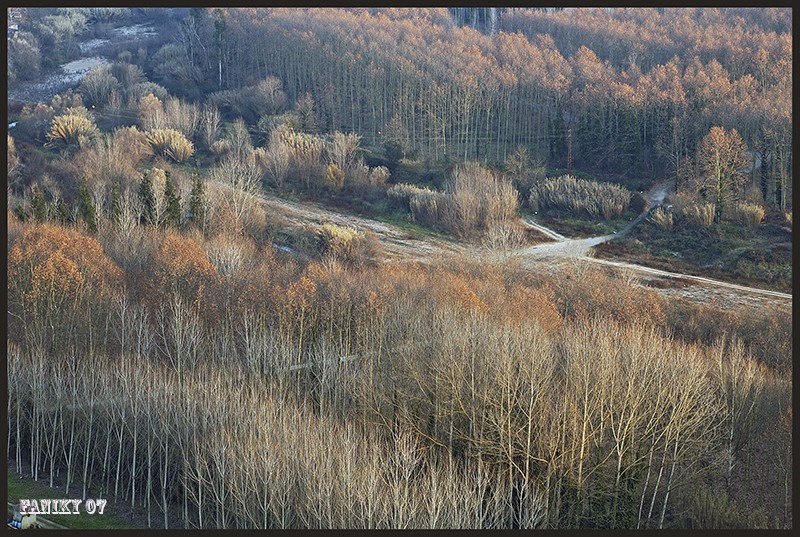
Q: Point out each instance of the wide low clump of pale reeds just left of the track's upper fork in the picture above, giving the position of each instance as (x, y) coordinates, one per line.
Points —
(598, 200)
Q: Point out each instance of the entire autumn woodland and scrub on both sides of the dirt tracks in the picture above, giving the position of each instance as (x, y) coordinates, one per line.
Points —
(204, 362)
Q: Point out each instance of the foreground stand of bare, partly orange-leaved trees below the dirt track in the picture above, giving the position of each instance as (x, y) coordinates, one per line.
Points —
(501, 402)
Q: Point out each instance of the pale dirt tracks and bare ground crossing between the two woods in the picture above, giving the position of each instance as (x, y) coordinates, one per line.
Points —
(400, 245)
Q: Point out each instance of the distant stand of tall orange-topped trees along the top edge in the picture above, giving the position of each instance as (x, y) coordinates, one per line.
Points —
(597, 102)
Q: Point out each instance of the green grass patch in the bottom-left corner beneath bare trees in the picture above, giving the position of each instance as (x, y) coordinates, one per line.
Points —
(19, 487)
